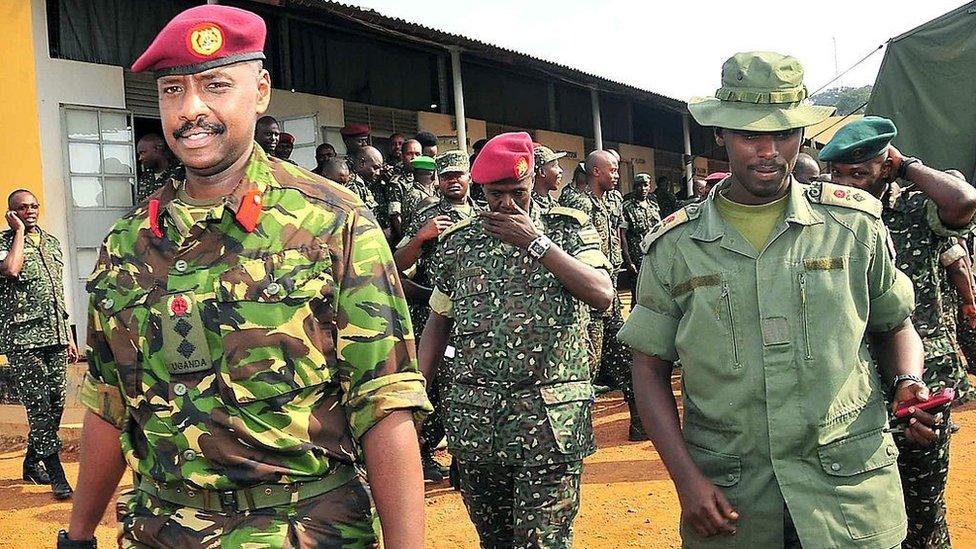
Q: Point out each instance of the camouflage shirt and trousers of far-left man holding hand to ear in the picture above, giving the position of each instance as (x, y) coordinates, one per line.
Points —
(34, 335)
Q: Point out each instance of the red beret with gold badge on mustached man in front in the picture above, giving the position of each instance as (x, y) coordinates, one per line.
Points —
(203, 38)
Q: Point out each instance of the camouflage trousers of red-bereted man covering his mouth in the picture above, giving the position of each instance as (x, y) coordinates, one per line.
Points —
(514, 506)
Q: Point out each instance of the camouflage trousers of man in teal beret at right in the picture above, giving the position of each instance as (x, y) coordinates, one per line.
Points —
(924, 471)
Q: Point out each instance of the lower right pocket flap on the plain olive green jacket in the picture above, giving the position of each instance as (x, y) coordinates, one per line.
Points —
(858, 454)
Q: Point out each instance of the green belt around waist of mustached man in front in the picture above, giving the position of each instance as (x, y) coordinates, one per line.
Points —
(260, 496)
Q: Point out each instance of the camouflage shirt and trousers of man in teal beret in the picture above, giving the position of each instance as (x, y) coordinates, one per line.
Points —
(919, 238)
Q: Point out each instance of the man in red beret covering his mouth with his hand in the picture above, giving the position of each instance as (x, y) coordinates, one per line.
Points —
(513, 287)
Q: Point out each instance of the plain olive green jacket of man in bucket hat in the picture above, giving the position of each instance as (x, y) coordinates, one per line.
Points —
(782, 407)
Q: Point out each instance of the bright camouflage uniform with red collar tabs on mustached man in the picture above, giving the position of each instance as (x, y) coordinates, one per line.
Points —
(243, 348)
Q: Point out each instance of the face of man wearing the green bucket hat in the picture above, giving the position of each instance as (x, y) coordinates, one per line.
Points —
(761, 161)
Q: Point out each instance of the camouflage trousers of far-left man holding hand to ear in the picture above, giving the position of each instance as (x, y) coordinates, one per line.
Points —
(39, 377)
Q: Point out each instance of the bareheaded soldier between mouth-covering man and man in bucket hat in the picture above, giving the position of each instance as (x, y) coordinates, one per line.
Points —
(608, 357)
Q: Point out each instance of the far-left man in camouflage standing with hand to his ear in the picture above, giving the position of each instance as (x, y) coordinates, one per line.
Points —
(34, 334)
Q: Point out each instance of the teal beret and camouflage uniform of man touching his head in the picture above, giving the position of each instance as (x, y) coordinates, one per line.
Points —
(921, 241)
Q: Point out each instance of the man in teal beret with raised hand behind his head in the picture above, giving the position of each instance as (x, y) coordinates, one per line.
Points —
(922, 220)
